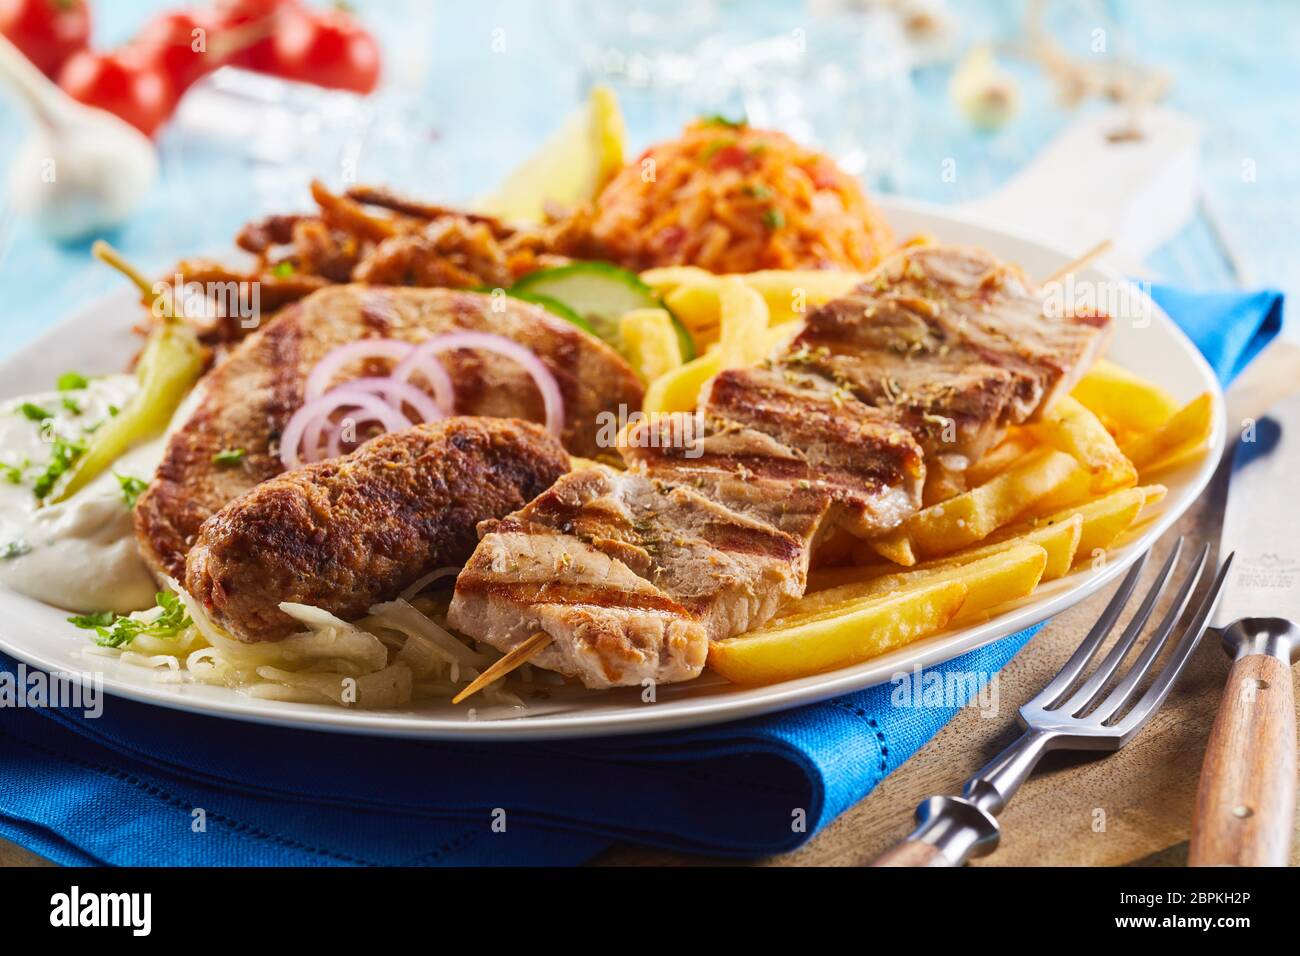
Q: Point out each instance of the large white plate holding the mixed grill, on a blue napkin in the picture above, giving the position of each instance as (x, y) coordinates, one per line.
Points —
(97, 340)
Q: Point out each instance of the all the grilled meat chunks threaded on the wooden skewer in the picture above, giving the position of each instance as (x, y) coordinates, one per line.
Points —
(937, 354)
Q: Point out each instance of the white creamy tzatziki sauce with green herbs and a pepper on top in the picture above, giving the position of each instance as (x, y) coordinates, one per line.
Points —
(80, 555)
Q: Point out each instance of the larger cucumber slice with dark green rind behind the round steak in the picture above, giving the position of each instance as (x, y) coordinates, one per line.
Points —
(601, 293)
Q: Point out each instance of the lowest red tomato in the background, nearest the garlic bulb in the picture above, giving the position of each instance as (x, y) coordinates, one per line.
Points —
(135, 92)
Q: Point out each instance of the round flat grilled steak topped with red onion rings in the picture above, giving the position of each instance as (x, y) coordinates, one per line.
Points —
(249, 397)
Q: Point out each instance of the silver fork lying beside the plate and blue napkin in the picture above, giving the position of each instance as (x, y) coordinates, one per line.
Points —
(1068, 716)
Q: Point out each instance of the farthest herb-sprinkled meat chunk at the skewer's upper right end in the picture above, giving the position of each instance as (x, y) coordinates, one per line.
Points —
(952, 344)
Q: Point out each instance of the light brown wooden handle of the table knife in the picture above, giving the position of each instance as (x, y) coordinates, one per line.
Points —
(1247, 795)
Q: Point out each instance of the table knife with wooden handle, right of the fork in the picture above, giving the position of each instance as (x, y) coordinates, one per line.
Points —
(1246, 802)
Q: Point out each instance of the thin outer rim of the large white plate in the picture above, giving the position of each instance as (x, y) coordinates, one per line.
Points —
(703, 712)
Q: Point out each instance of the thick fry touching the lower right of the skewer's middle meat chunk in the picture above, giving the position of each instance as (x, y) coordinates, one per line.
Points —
(976, 514)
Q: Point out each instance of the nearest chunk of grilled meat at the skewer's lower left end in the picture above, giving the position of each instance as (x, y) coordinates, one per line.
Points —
(630, 576)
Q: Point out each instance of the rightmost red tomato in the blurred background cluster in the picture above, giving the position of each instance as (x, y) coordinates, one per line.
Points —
(328, 49)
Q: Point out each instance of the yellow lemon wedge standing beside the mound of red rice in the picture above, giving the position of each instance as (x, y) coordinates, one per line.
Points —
(571, 166)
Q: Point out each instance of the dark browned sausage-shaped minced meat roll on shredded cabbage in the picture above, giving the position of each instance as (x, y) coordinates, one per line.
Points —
(353, 531)
